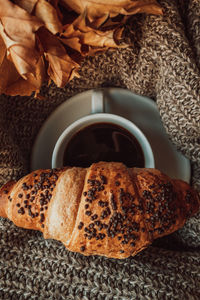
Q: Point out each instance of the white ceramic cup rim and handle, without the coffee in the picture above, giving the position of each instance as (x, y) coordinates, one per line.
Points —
(99, 116)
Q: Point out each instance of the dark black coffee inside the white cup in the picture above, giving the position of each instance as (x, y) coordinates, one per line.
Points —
(103, 142)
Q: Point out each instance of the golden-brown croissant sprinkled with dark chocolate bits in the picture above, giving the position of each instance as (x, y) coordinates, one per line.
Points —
(106, 209)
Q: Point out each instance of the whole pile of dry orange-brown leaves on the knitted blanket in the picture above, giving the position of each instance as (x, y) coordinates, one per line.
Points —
(46, 39)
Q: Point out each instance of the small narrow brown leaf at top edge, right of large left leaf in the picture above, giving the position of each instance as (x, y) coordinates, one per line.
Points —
(44, 11)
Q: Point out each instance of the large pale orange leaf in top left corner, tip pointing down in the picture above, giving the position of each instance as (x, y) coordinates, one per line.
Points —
(20, 39)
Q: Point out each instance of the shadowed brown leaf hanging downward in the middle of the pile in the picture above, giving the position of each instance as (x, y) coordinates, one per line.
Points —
(61, 67)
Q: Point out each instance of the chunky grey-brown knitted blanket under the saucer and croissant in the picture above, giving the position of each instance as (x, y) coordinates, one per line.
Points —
(163, 63)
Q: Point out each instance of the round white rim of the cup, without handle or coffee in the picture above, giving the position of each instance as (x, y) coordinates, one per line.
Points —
(77, 125)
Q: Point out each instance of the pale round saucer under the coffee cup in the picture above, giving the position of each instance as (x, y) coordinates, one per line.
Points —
(141, 110)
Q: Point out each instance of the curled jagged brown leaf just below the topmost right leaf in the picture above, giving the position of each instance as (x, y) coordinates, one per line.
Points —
(78, 35)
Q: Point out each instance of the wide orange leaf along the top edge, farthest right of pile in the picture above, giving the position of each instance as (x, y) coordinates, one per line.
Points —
(99, 11)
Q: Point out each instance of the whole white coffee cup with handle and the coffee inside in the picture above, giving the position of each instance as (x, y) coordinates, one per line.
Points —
(102, 136)
